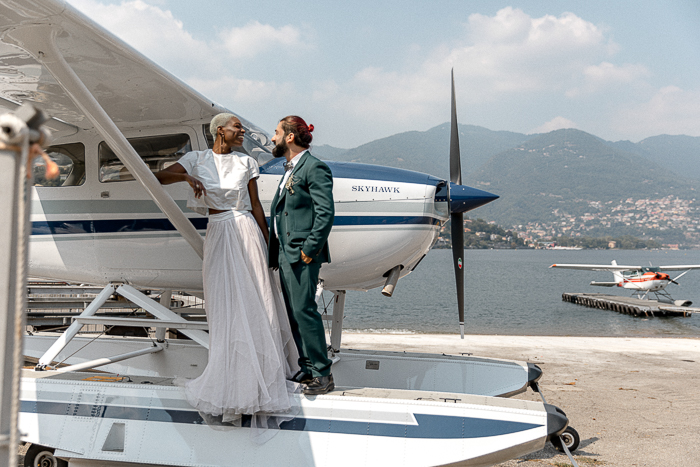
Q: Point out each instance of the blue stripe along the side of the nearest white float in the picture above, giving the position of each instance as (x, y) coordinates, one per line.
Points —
(429, 426)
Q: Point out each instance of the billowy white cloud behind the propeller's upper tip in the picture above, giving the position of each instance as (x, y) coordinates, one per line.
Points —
(500, 58)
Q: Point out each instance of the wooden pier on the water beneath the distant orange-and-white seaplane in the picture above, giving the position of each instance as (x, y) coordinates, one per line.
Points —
(628, 305)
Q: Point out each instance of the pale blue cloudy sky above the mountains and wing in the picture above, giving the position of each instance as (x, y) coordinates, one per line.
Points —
(364, 70)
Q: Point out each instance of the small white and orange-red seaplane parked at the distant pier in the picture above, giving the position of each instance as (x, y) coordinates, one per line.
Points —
(642, 280)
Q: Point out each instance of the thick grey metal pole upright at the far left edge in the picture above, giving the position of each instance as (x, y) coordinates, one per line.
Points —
(14, 137)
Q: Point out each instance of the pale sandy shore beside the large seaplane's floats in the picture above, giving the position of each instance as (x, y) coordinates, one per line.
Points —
(633, 400)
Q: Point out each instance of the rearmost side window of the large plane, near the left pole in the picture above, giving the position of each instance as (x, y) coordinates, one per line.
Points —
(70, 159)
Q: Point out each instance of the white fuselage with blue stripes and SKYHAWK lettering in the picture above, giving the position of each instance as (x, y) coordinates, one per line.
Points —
(108, 229)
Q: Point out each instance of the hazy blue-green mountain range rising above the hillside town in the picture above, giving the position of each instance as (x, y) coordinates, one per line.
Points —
(534, 175)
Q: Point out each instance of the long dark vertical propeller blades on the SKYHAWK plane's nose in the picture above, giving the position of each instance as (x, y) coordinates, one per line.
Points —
(457, 218)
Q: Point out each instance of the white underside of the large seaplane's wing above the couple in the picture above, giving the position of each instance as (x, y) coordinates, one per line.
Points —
(134, 91)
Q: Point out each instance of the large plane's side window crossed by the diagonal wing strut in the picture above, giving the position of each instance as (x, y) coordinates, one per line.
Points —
(158, 152)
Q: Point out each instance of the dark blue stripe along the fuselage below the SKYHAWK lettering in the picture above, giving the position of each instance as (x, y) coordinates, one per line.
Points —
(200, 223)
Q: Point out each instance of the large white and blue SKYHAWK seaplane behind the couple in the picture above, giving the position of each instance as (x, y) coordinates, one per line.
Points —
(116, 117)
